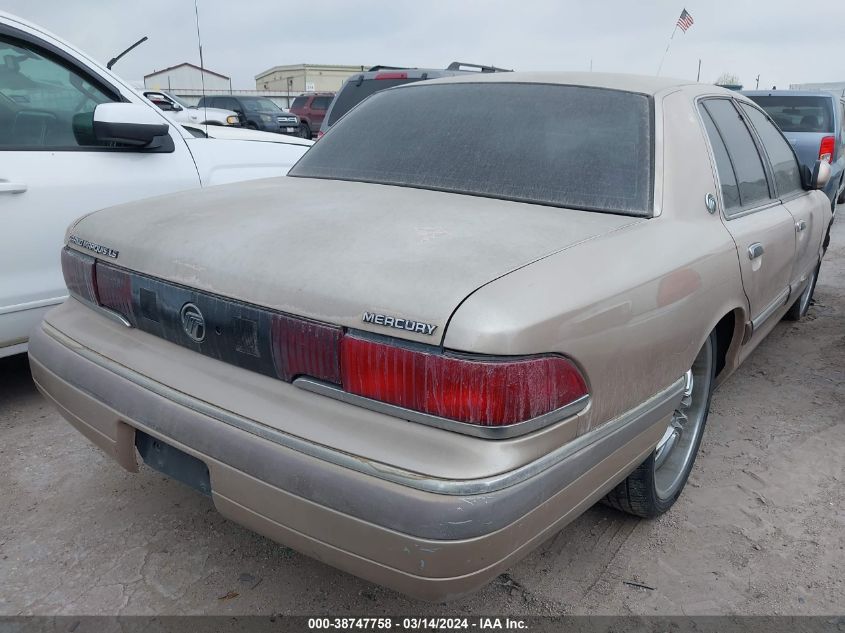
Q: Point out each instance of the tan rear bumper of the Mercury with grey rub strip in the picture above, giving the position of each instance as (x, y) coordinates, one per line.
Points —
(432, 539)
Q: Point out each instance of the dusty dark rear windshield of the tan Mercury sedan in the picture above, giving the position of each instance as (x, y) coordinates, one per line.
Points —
(567, 146)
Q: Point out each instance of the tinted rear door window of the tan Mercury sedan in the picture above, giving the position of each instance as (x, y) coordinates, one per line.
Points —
(748, 167)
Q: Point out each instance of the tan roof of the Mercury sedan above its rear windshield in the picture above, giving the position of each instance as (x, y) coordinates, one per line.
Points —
(643, 84)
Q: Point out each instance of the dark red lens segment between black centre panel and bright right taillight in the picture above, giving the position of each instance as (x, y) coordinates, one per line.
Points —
(303, 347)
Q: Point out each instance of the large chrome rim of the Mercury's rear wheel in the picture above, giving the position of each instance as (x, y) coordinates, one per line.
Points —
(676, 449)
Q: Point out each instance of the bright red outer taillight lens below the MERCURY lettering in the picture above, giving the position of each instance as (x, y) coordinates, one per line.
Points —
(481, 392)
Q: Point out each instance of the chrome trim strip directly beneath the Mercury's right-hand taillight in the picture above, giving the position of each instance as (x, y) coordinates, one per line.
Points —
(486, 432)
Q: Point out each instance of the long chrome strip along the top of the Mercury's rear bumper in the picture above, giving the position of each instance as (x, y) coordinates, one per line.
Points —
(642, 414)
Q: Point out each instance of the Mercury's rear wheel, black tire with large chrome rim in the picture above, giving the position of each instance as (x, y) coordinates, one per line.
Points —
(657, 483)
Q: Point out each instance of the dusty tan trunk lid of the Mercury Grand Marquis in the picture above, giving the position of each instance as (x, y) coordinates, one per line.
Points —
(351, 254)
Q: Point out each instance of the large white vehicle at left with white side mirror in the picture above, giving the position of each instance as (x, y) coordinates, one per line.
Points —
(75, 138)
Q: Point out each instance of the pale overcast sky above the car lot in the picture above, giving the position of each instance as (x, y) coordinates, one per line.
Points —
(781, 41)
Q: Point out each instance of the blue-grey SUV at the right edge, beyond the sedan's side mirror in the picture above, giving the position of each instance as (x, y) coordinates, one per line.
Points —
(814, 123)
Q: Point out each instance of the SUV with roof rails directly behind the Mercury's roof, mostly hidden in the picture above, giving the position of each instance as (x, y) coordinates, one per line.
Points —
(361, 85)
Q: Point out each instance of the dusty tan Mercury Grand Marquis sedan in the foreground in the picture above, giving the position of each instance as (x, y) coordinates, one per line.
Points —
(420, 355)
